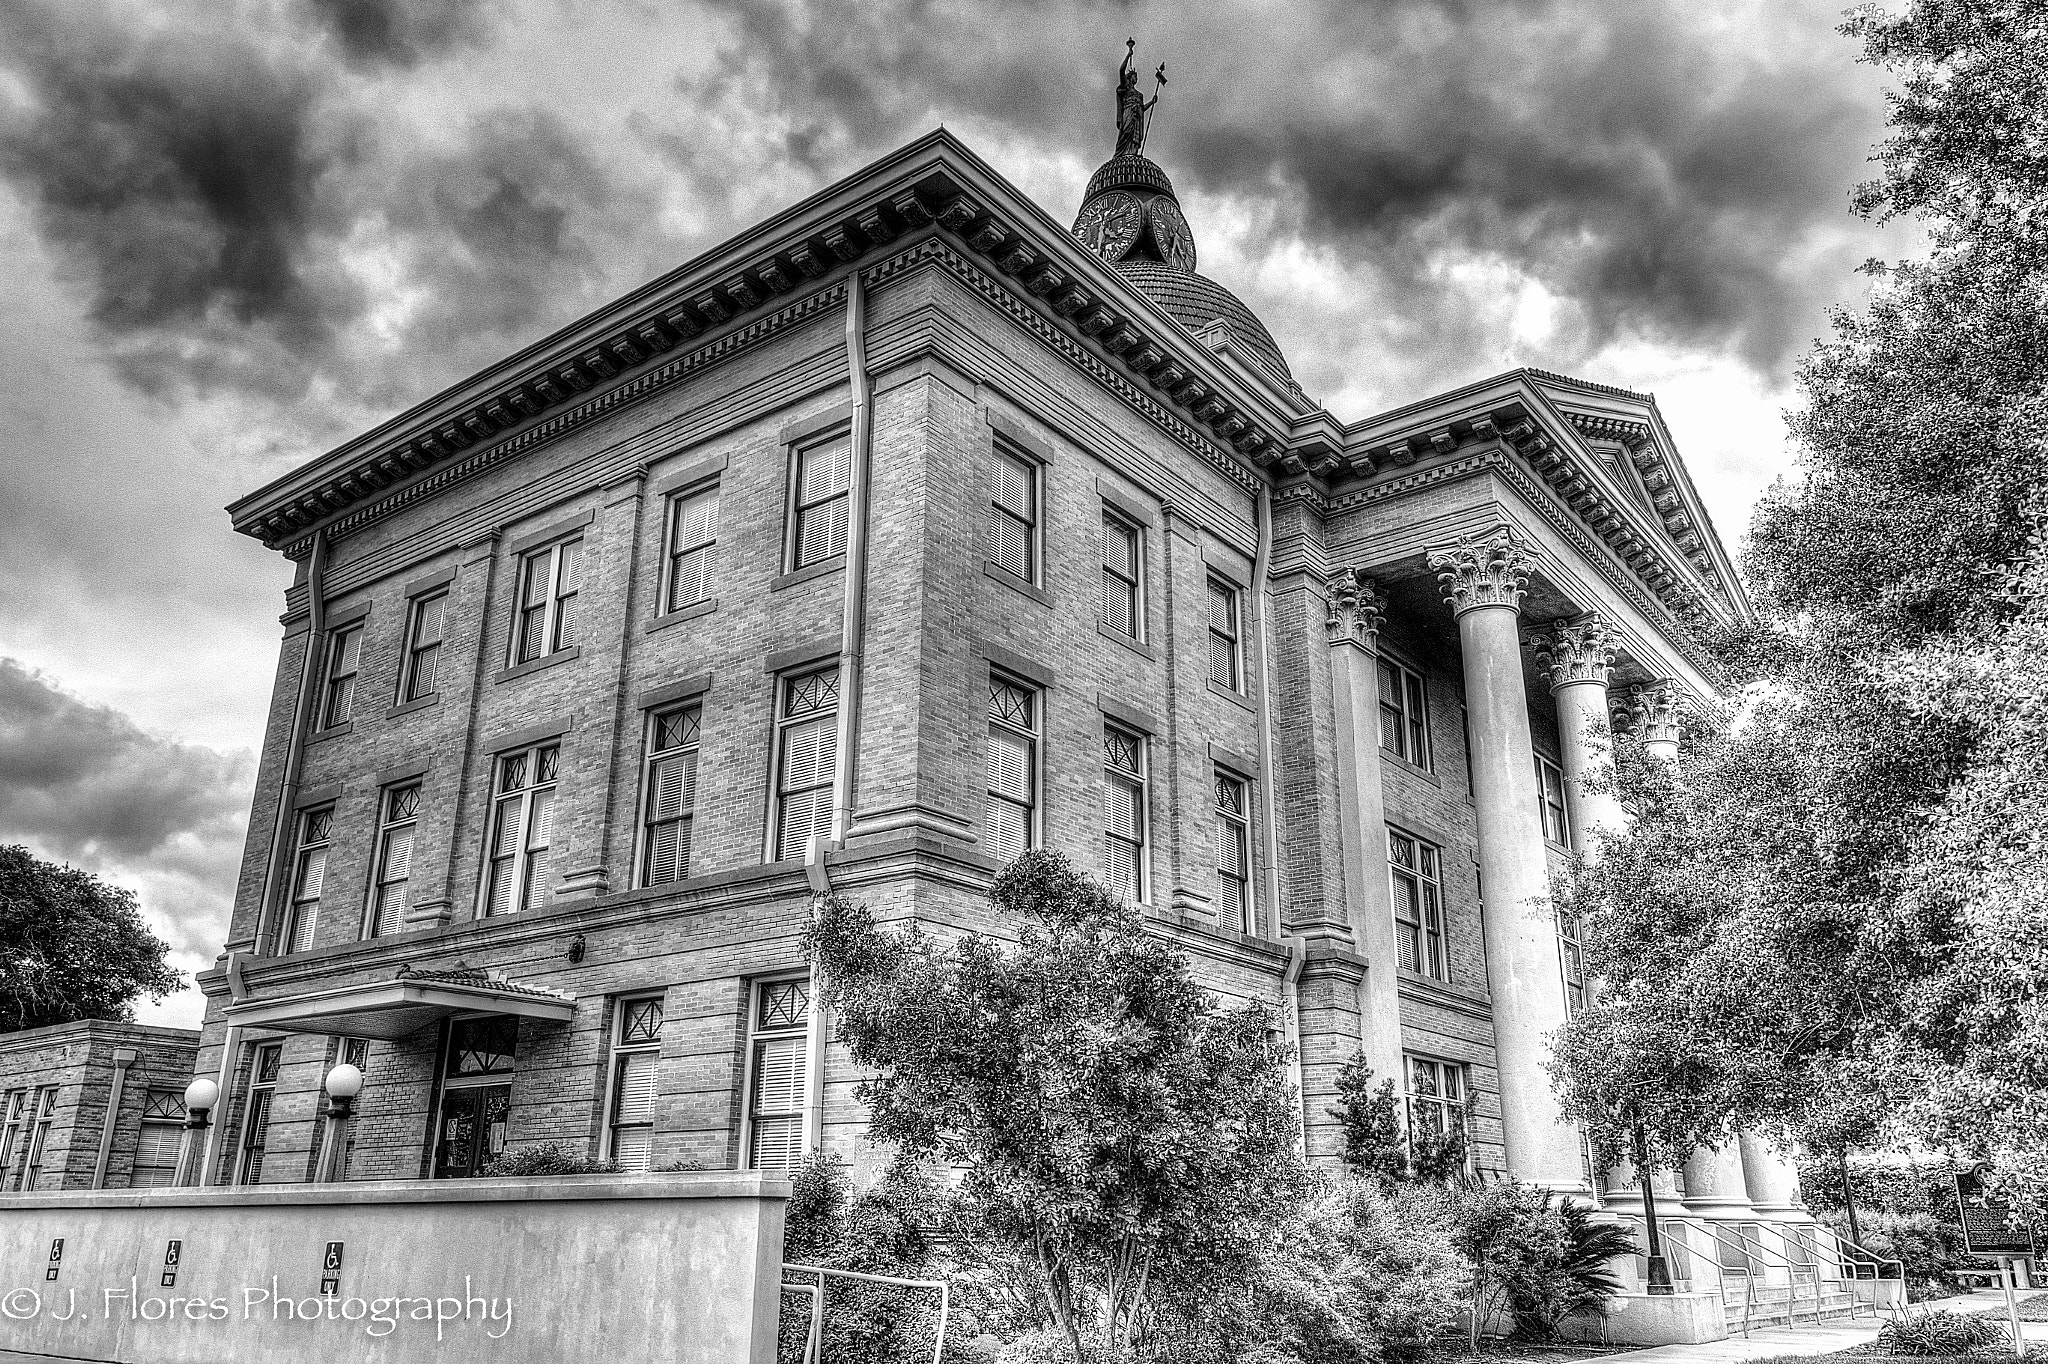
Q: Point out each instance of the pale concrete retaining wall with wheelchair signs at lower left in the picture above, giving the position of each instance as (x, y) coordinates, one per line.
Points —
(679, 1269)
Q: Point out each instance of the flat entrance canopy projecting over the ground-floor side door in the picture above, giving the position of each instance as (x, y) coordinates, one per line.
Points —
(388, 1011)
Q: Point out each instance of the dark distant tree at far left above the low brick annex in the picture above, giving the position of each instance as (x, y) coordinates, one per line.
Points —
(73, 947)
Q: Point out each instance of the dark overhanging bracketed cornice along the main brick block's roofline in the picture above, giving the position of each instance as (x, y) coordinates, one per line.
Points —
(738, 294)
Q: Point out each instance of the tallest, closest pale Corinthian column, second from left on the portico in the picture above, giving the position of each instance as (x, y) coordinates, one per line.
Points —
(1484, 581)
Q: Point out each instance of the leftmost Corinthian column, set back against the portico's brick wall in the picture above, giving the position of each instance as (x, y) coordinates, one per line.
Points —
(1357, 611)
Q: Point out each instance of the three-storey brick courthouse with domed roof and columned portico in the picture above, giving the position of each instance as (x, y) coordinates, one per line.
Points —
(902, 534)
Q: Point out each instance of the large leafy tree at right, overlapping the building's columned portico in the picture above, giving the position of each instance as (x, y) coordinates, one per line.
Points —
(1828, 923)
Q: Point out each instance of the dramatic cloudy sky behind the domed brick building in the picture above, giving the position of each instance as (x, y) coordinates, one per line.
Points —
(237, 232)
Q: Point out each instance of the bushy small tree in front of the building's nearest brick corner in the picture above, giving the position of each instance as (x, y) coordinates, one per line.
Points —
(1109, 1115)
